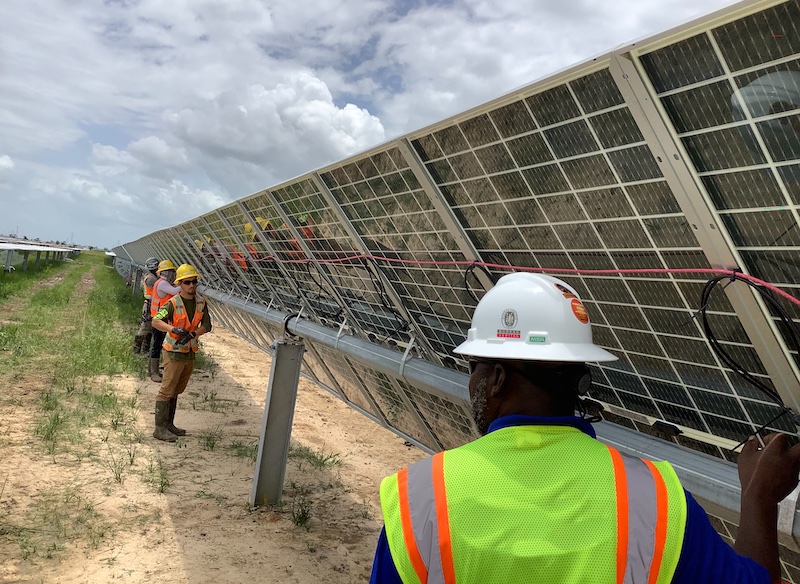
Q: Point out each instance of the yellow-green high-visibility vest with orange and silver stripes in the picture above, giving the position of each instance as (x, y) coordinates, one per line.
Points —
(543, 504)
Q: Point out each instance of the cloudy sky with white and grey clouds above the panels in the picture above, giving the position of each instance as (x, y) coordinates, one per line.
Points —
(120, 117)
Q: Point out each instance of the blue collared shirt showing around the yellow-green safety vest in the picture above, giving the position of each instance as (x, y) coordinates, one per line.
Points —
(705, 557)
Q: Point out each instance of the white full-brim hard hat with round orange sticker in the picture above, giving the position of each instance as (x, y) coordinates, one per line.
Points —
(532, 317)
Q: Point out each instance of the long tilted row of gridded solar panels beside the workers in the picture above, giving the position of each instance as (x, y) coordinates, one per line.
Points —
(679, 152)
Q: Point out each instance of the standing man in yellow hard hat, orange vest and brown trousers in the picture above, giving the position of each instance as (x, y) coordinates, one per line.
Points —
(182, 319)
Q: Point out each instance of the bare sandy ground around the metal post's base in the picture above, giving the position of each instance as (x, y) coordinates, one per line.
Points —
(95, 513)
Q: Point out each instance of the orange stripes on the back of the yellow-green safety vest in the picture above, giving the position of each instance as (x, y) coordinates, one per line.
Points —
(642, 510)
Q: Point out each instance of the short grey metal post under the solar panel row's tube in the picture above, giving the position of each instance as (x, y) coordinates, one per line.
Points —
(276, 428)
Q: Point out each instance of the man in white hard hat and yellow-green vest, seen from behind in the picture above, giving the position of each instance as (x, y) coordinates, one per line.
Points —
(538, 499)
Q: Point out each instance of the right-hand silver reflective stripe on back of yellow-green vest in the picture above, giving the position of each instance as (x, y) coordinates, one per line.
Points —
(642, 520)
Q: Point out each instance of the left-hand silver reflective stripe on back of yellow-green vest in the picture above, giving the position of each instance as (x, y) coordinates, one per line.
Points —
(422, 505)
